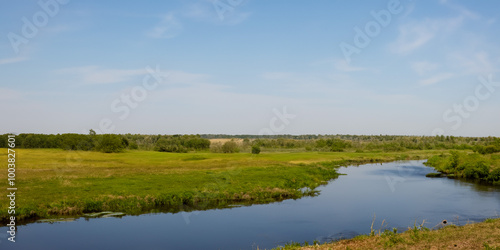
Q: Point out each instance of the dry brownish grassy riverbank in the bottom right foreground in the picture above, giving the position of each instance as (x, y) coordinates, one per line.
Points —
(484, 235)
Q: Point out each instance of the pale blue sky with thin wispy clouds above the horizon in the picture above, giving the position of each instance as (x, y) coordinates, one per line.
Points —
(250, 67)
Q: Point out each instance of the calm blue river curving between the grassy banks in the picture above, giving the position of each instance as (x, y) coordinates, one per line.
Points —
(398, 192)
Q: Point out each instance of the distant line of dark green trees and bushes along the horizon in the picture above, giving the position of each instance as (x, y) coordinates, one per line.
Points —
(245, 143)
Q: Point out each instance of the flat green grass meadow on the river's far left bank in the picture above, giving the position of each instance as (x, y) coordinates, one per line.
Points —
(53, 182)
